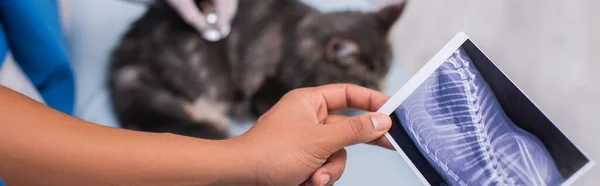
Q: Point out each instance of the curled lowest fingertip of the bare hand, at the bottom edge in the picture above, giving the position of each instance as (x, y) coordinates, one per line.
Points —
(331, 171)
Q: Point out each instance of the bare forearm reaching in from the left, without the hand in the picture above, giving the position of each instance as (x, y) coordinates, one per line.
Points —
(41, 145)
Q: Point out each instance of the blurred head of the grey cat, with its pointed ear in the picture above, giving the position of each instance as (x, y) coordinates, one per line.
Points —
(341, 47)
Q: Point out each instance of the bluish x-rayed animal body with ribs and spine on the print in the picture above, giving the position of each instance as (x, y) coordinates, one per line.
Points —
(458, 125)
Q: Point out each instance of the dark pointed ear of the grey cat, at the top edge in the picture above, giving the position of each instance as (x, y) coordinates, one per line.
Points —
(387, 16)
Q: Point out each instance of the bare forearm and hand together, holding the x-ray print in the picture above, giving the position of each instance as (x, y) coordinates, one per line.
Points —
(297, 142)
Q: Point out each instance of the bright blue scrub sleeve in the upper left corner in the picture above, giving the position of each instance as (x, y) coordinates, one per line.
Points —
(34, 37)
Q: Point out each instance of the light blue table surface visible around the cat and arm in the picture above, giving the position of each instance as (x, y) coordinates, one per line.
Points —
(95, 27)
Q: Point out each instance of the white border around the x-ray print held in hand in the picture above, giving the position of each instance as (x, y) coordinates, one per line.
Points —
(421, 76)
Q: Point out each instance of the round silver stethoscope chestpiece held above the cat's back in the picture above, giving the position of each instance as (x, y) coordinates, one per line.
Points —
(211, 32)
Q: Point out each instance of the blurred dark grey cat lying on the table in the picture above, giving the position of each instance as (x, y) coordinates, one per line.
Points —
(165, 78)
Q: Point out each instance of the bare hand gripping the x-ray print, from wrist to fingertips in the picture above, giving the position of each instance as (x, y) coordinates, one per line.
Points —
(299, 142)
